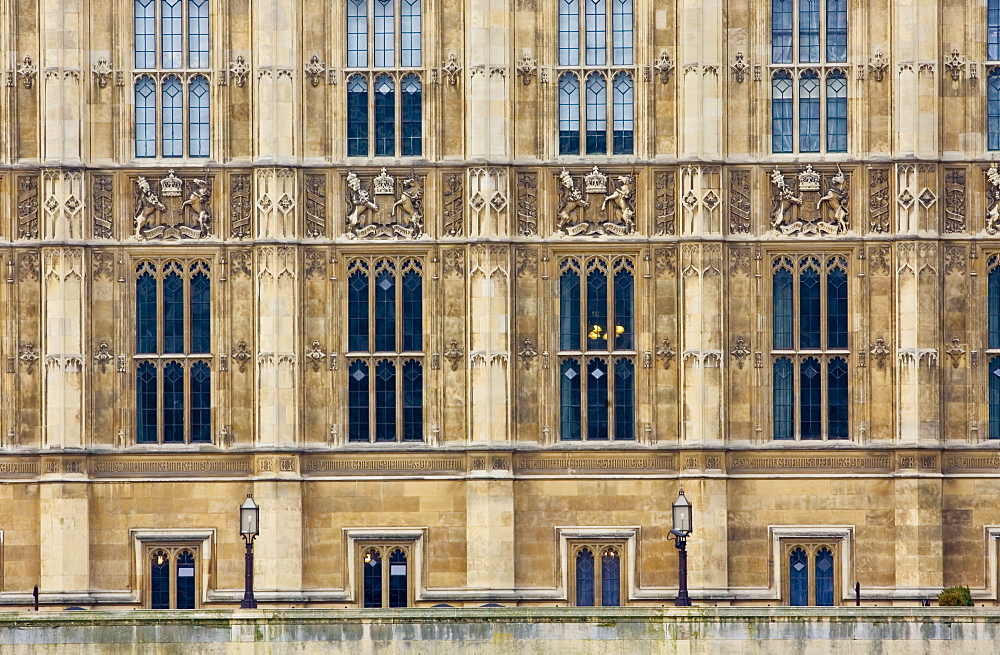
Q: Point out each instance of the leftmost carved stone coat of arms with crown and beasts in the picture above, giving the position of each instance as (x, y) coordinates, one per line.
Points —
(190, 219)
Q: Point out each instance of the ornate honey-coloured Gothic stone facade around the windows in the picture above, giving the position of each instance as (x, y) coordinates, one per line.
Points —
(490, 499)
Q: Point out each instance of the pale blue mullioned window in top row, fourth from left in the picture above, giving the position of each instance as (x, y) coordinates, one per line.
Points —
(808, 76)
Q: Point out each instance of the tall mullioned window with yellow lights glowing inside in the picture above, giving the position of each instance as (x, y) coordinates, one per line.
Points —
(597, 349)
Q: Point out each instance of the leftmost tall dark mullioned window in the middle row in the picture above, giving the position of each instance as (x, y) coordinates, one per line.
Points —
(173, 353)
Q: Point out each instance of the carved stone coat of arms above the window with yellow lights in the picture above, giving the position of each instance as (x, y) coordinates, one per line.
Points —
(574, 217)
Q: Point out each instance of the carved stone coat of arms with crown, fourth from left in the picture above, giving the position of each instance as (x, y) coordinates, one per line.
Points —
(791, 214)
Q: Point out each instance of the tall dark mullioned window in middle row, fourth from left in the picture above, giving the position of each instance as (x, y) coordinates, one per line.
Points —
(810, 347)
